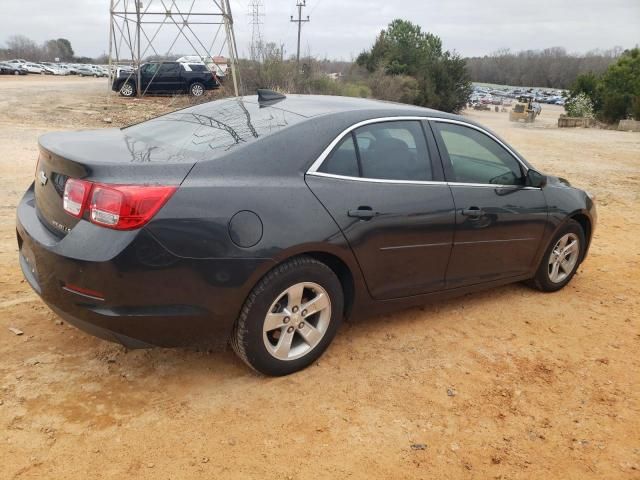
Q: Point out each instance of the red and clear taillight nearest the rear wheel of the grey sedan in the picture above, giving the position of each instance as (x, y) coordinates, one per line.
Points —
(122, 207)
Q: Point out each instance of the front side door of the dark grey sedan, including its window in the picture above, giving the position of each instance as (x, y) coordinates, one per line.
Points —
(499, 220)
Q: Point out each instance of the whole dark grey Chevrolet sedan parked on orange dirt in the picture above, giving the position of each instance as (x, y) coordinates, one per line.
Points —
(264, 221)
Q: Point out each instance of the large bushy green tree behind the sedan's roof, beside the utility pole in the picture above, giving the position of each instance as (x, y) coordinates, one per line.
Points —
(404, 49)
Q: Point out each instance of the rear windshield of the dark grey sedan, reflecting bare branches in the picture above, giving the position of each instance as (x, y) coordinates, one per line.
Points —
(214, 126)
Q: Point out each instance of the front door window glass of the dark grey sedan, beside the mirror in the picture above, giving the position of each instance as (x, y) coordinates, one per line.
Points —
(477, 158)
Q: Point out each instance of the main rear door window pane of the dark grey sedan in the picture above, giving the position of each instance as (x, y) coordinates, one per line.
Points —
(394, 151)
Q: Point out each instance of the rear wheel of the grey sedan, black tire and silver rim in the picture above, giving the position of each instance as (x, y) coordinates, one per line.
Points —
(278, 301)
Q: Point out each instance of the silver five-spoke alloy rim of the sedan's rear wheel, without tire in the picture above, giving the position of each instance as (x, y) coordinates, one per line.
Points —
(297, 321)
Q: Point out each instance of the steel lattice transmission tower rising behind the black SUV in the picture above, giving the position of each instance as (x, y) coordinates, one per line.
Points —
(163, 28)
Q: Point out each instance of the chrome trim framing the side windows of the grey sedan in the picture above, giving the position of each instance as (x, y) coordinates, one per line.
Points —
(313, 169)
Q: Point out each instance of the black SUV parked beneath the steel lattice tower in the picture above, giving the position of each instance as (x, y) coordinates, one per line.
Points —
(166, 77)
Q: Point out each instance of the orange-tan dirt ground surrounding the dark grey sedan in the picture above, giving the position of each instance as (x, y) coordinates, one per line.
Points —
(505, 384)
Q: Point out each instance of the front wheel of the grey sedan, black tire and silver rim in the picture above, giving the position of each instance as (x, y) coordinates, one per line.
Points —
(544, 279)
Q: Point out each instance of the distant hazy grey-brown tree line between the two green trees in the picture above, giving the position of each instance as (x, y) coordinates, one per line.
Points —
(549, 68)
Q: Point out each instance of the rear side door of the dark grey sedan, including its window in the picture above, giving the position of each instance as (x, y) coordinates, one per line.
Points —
(383, 185)
